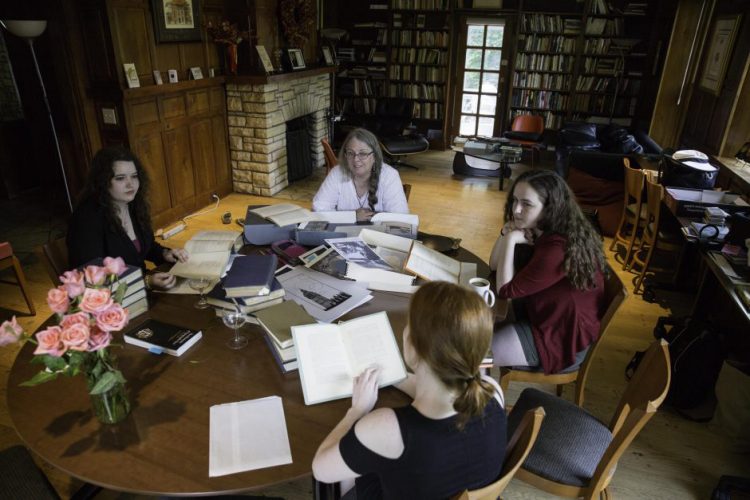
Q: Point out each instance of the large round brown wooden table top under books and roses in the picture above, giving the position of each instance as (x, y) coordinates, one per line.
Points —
(162, 447)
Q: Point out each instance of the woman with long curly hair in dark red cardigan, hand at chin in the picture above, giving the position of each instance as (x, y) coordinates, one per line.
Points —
(558, 293)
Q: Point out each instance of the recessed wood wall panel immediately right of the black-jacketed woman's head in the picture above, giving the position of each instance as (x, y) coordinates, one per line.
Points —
(150, 151)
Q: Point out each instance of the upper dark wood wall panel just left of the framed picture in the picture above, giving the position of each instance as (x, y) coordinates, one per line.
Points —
(131, 27)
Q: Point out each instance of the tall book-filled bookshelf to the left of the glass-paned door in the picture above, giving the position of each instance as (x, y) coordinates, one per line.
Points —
(397, 49)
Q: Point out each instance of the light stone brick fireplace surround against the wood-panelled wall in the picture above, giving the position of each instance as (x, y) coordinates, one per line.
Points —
(257, 114)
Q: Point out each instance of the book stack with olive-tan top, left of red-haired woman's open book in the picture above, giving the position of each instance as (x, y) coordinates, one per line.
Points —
(277, 321)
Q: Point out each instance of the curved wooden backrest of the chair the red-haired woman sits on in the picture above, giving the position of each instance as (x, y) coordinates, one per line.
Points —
(516, 452)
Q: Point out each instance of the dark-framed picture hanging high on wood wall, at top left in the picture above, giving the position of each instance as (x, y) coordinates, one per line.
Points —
(176, 21)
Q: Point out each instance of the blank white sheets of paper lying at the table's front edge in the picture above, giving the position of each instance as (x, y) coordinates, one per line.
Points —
(247, 435)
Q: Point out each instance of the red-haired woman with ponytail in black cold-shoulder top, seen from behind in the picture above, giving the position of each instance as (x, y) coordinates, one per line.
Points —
(453, 434)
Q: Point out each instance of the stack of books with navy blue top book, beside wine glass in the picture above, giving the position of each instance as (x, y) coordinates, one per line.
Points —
(248, 286)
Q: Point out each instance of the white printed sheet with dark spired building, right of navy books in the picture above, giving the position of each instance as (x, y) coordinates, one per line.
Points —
(324, 297)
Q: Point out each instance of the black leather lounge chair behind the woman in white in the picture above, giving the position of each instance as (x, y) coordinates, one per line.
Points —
(391, 119)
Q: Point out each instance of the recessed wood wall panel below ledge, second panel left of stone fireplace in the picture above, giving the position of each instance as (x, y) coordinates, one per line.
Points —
(180, 167)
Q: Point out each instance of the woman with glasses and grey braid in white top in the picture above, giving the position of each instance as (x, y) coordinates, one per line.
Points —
(361, 181)
